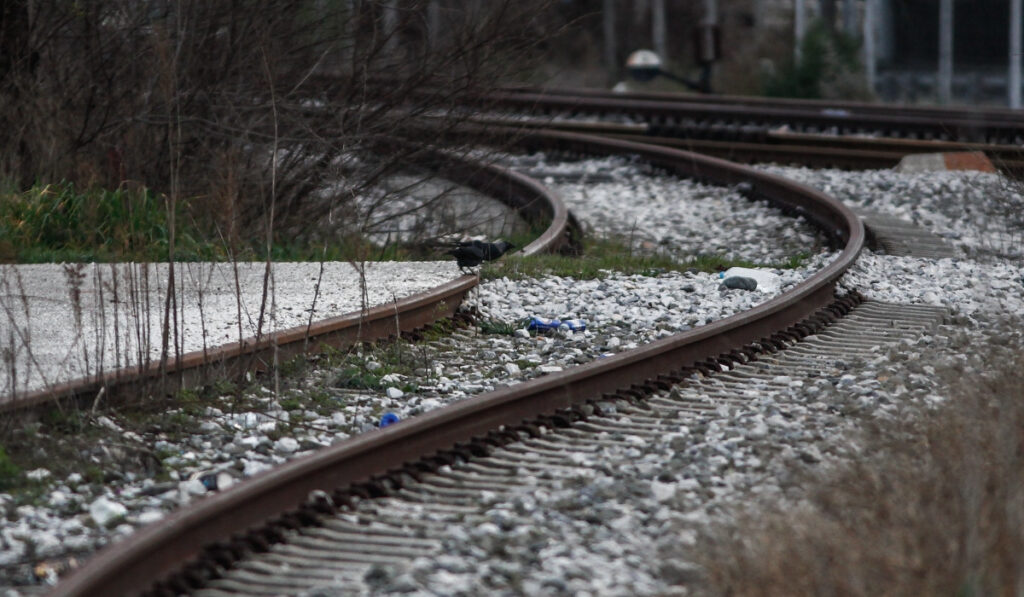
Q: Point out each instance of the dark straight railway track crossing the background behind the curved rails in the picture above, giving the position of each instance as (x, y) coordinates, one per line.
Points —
(847, 136)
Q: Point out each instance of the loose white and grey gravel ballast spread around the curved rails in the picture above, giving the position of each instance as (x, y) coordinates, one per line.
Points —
(630, 551)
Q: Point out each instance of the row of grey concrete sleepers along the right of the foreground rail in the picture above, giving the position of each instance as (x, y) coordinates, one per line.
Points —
(413, 523)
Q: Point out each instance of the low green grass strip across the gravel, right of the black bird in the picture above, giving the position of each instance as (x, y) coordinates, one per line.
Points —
(601, 258)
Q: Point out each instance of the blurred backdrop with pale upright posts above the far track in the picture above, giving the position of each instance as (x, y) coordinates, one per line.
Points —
(915, 52)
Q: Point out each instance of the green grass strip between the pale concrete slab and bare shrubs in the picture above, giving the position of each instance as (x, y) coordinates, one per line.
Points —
(62, 223)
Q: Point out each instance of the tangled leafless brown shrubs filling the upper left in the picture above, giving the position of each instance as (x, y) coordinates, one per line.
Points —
(245, 109)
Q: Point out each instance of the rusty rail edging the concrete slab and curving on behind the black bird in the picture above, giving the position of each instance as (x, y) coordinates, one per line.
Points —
(532, 199)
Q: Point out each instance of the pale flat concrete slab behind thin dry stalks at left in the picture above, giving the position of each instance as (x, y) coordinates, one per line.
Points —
(63, 322)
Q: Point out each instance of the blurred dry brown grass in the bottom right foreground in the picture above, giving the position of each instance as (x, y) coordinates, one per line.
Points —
(936, 507)
